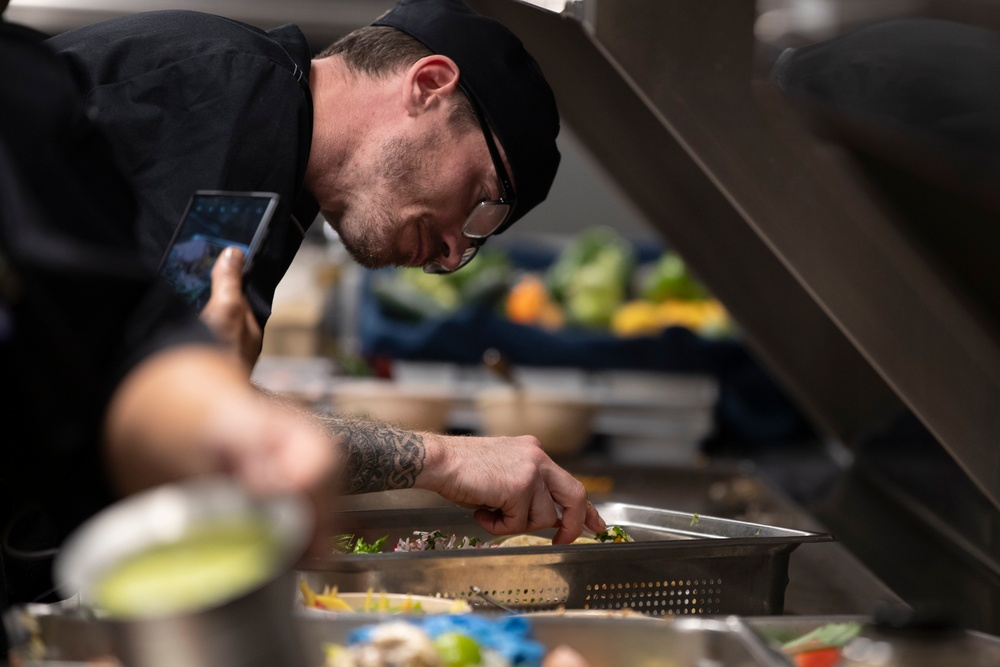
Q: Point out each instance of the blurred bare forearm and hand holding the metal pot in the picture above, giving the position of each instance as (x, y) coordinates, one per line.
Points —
(189, 411)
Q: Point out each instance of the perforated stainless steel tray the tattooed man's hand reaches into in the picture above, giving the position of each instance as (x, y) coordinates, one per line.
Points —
(675, 563)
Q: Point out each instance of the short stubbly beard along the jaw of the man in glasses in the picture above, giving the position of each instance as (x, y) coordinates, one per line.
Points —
(369, 229)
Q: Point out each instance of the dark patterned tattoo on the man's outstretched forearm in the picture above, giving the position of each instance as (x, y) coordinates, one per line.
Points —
(378, 456)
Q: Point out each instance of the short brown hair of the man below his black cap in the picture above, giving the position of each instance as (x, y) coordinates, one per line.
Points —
(379, 51)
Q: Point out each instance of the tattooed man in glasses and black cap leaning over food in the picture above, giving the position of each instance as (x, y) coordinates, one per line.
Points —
(390, 133)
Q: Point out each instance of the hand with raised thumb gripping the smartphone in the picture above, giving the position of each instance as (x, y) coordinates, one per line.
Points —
(227, 312)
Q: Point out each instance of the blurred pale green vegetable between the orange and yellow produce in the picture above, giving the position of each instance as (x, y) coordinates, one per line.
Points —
(590, 277)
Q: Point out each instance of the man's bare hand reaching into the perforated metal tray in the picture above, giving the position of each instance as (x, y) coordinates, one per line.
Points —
(516, 485)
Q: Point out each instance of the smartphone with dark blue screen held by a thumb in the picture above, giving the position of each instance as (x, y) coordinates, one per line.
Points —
(213, 222)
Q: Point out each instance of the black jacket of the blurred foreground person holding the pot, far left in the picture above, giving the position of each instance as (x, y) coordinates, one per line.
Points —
(78, 309)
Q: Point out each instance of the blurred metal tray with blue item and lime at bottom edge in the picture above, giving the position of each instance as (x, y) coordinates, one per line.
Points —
(528, 641)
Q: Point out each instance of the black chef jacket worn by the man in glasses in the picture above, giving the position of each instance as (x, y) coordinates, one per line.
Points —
(195, 101)
